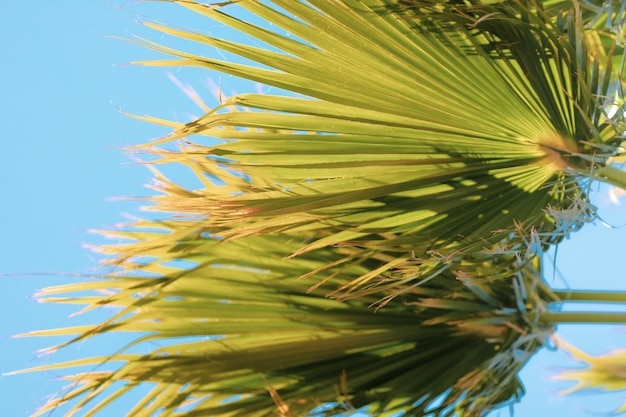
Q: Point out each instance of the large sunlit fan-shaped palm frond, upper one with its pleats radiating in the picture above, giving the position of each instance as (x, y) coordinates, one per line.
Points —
(410, 133)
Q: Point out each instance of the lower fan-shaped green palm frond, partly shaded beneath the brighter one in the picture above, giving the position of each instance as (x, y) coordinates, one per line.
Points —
(253, 330)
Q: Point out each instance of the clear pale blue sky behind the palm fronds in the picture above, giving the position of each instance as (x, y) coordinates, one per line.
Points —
(62, 80)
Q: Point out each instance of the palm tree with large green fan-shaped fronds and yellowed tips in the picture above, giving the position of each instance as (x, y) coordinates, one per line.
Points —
(382, 220)
